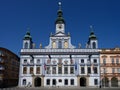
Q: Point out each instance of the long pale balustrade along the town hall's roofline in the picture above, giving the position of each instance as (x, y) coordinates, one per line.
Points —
(59, 51)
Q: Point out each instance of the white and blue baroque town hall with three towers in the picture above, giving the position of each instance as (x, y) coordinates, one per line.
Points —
(60, 63)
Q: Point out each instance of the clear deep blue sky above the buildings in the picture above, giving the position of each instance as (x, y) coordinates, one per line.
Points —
(40, 15)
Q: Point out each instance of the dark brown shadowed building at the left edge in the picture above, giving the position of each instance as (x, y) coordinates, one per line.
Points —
(9, 68)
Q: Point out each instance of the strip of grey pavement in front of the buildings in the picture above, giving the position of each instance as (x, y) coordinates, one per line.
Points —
(59, 88)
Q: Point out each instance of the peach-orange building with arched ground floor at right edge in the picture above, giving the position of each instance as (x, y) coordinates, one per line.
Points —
(110, 67)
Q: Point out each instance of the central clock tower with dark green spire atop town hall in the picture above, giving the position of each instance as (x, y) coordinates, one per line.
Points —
(60, 23)
